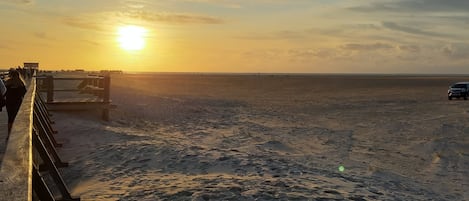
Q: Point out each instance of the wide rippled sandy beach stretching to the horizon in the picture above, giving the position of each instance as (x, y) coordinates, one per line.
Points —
(270, 137)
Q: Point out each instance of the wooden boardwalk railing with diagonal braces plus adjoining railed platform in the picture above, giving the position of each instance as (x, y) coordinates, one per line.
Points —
(31, 147)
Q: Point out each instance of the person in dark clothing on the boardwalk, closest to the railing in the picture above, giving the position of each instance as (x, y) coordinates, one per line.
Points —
(16, 88)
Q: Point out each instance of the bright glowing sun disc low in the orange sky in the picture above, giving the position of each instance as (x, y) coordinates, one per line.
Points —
(131, 37)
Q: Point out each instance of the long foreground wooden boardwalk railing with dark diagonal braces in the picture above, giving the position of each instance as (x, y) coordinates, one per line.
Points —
(30, 152)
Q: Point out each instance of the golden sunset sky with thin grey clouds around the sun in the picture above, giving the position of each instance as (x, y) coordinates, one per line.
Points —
(253, 36)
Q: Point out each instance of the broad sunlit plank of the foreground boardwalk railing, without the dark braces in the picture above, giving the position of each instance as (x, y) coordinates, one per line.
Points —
(16, 169)
